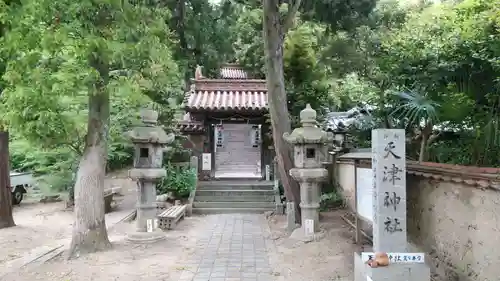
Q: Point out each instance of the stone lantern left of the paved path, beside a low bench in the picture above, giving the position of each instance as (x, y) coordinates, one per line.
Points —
(149, 141)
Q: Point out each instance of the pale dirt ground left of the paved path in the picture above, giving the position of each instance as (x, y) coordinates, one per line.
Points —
(40, 224)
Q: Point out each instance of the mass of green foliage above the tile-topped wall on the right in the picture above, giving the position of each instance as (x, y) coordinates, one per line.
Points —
(448, 54)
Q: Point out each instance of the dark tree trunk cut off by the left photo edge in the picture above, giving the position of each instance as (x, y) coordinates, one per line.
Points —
(6, 218)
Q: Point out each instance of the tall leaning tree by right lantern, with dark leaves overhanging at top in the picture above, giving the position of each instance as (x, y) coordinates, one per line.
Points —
(344, 15)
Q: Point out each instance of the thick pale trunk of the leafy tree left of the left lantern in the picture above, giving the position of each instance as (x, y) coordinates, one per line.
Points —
(89, 229)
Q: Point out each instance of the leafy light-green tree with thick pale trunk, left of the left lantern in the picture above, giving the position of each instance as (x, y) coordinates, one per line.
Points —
(91, 50)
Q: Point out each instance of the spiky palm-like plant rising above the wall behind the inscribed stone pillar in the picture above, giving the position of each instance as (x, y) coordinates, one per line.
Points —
(419, 111)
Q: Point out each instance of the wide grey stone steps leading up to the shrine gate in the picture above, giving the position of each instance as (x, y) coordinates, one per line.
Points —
(234, 196)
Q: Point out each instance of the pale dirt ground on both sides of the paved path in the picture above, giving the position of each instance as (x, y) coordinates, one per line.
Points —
(38, 225)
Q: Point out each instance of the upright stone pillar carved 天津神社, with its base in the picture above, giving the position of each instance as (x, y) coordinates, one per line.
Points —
(389, 215)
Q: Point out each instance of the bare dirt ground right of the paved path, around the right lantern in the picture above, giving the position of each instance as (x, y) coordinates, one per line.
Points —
(328, 259)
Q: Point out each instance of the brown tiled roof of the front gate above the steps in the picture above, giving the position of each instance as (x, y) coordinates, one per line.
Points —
(225, 94)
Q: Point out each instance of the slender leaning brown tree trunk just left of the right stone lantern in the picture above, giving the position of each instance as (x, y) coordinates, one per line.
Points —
(278, 109)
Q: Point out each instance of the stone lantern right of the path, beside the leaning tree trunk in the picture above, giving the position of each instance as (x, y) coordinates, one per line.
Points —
(309, 142)
